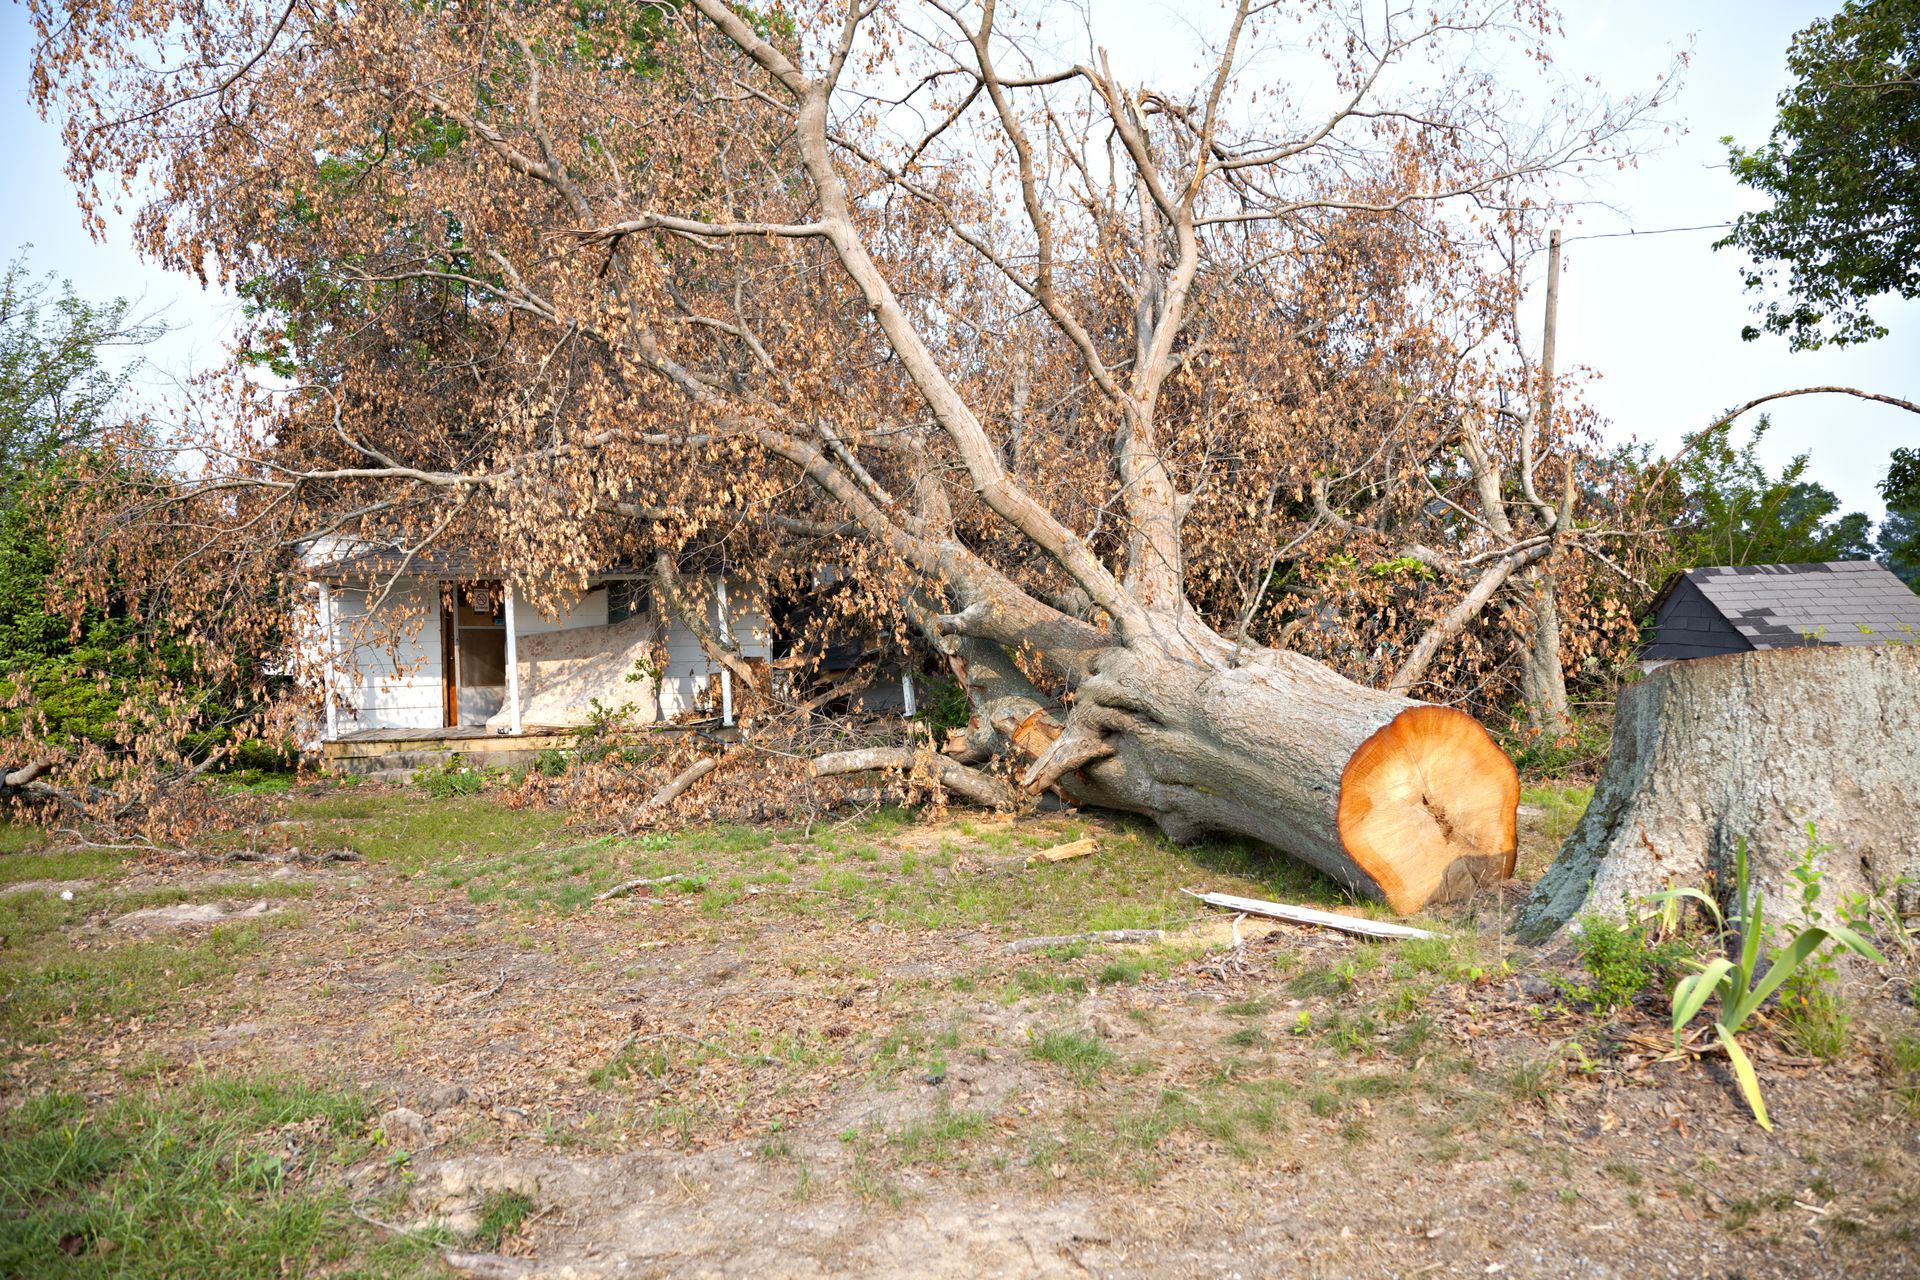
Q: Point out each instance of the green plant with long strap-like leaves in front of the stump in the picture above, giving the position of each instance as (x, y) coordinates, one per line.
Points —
(1737, 978)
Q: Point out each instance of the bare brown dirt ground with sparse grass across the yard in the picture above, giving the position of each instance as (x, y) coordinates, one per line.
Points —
(819, 1056)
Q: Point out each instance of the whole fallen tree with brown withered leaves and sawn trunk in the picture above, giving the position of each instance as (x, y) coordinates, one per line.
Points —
(615, 285)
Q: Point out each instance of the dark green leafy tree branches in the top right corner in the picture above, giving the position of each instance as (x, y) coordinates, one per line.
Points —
(1842, 174)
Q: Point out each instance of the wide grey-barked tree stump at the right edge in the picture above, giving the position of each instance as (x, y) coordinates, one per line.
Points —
(1750, 747)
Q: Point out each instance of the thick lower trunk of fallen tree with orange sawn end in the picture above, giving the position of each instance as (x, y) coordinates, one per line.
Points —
(1397, 799)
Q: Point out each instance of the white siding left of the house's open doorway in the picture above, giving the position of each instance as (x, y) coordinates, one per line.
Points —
(391, 682)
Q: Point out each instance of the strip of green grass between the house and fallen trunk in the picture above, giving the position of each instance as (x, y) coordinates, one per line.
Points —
(492, 853)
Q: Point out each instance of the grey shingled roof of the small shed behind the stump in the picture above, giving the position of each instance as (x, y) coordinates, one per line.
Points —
(1794, 605)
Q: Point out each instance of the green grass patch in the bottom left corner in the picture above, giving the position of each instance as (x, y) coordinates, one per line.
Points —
(222, 1177)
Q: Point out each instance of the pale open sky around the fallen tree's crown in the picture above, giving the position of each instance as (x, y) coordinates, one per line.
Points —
(1656, 318)
